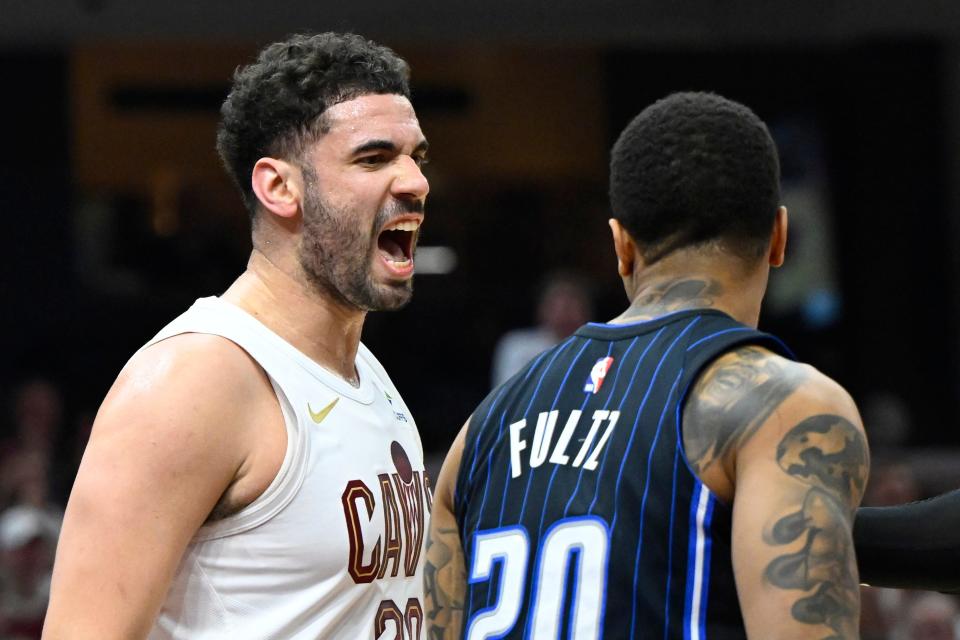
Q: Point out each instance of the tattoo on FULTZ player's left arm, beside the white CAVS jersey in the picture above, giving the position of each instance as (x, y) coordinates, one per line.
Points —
(444, 582)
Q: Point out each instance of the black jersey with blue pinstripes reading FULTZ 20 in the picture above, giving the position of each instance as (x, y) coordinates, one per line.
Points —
(579, 514)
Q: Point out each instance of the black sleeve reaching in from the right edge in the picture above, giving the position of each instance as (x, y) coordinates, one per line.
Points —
(913, 546)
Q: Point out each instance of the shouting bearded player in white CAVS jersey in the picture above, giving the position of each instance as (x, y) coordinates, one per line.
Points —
(253, 473)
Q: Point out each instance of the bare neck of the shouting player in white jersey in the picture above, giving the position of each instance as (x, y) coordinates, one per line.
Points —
(323, 328)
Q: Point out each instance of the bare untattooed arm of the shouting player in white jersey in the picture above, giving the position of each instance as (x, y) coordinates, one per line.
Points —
(168, 441)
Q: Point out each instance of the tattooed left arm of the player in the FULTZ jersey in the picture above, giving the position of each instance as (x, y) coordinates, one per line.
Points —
(444, 576)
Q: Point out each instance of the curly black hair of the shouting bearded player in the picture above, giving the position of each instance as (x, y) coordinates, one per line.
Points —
(276, 103)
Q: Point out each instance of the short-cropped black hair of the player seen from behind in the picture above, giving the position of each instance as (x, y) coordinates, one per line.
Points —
(695, 168)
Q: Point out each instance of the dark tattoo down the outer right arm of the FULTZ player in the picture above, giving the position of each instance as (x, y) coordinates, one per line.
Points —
(829, 456)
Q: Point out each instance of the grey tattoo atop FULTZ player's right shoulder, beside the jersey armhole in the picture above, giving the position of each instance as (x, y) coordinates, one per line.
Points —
(731, 401)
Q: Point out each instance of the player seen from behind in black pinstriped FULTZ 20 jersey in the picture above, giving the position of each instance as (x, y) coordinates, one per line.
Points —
(673, 473)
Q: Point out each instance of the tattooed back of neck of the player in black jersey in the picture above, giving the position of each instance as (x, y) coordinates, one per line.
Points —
(661, 289)
